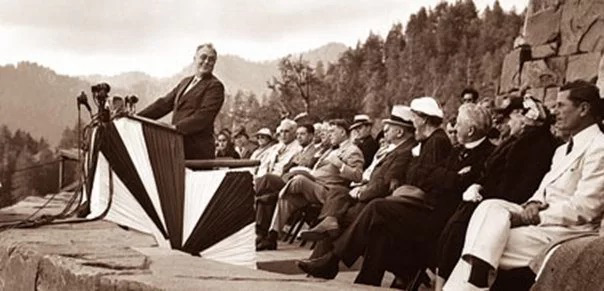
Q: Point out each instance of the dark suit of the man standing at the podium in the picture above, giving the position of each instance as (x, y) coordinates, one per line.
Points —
(193, 113)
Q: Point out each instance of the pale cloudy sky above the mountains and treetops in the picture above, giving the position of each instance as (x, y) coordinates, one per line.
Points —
(158, 37)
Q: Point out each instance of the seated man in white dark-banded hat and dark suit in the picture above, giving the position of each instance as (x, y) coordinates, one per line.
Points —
(384, 174)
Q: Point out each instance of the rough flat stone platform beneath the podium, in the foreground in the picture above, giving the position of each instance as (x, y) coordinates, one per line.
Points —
(100, 255)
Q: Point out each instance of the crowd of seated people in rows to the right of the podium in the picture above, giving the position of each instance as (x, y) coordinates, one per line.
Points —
(486, 191)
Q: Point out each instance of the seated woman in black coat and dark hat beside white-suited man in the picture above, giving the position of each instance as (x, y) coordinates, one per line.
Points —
(512, 172)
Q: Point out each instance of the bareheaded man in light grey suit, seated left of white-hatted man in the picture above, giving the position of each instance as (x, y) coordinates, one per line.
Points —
(335, 168)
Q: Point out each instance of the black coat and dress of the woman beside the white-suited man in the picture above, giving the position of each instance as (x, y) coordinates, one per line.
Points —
(512, 172)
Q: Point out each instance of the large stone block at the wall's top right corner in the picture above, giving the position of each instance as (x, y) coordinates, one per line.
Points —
(577, 20)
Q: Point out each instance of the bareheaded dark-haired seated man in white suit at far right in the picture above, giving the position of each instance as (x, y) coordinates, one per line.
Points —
(568, 202)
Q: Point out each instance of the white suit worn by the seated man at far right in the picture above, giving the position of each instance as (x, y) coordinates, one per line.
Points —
(573, 189)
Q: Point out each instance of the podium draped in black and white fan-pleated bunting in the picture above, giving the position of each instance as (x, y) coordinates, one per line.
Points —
(136, 177)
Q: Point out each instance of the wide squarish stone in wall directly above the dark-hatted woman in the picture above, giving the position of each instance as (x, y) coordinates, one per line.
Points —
(543, 73)
